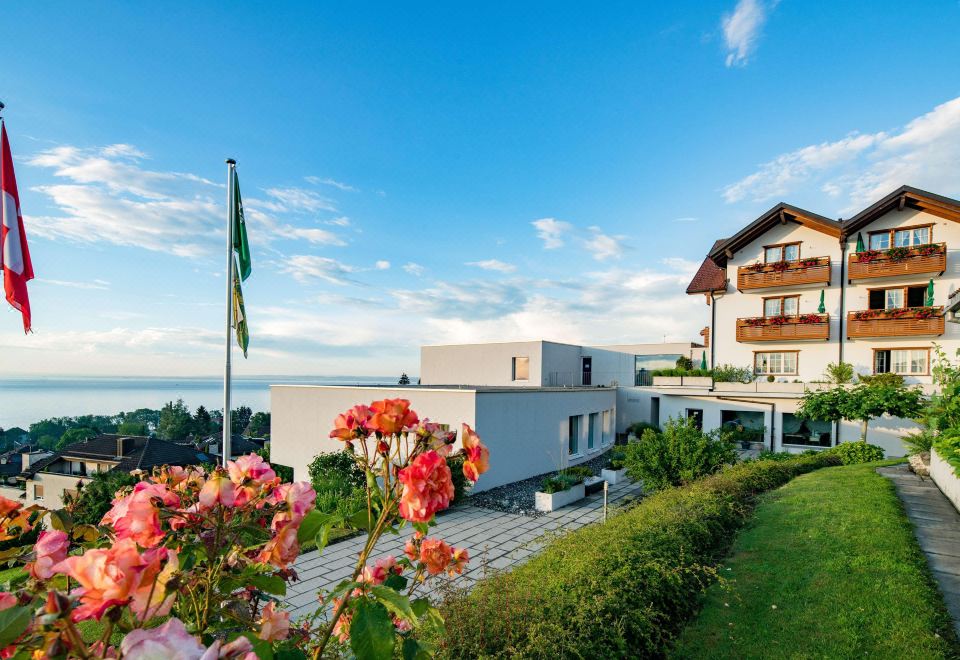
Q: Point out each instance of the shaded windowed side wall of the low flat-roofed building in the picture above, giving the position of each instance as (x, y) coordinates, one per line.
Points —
(527, 431)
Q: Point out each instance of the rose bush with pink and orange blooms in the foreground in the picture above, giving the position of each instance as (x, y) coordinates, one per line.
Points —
(191, 563)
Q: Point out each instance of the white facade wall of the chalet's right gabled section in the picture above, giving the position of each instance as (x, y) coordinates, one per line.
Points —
(859, 352)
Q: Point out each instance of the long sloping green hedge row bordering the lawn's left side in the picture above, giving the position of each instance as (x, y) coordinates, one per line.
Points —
(621, 589)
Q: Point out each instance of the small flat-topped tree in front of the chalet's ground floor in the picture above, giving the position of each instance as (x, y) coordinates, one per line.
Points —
(861, 404)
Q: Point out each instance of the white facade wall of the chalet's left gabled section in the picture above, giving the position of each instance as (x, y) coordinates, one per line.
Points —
(814, 355)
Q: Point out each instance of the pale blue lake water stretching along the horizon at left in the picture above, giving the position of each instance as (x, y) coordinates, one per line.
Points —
(24, 401)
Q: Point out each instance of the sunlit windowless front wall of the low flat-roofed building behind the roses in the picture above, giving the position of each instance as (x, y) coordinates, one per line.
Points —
(302, 416)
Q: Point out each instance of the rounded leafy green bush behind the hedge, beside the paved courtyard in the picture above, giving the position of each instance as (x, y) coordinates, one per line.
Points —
(681, 453)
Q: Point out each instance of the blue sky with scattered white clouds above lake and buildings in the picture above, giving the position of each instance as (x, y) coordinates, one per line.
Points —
(431, 173)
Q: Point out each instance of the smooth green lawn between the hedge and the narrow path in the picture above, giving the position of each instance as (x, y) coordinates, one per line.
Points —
(828, 568)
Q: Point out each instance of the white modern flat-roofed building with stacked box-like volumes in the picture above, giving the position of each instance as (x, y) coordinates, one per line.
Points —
(539, 405)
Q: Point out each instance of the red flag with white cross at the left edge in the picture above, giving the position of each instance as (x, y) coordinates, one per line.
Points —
(14, 254)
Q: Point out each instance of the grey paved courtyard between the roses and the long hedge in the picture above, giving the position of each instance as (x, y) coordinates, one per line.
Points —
(494, 540)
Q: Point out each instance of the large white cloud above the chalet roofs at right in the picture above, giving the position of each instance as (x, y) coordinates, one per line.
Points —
(860, 168)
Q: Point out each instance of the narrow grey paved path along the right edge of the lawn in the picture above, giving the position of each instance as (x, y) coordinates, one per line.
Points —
(937, 526)
